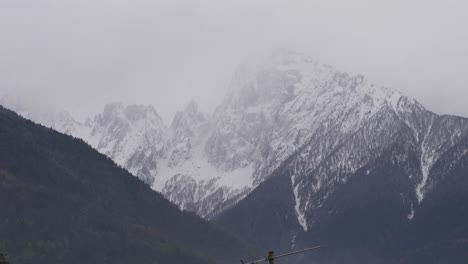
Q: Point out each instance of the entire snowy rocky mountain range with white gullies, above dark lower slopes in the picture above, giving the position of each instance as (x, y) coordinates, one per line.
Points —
(284, 112)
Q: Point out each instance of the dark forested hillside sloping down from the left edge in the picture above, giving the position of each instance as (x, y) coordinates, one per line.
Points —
(63, 202)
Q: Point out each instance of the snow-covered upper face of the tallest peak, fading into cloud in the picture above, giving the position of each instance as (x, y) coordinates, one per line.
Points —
(277, 106)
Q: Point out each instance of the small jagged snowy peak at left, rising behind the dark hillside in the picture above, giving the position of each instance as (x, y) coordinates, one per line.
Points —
(133, 136)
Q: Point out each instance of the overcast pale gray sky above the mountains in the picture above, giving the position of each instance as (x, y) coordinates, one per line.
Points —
(81, 54)
